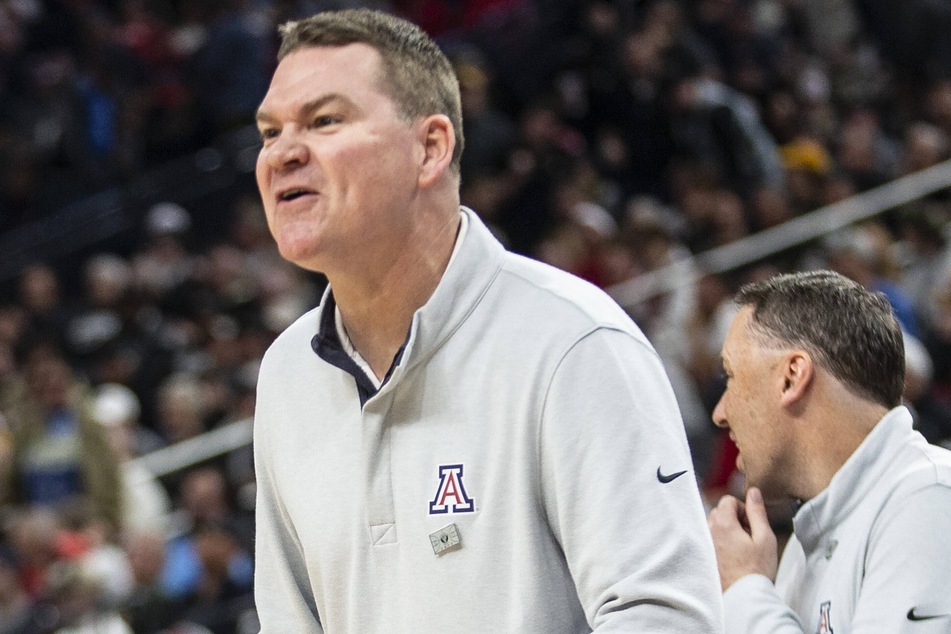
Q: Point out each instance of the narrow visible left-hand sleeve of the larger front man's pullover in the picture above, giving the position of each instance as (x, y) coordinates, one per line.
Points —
(283, 595)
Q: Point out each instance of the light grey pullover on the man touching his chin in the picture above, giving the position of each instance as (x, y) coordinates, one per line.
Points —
(870, 555)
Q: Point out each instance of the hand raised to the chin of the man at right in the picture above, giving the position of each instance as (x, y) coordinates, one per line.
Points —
(744, 542)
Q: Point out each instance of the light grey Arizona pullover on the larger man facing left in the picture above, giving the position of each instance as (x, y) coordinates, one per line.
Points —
(524, 468)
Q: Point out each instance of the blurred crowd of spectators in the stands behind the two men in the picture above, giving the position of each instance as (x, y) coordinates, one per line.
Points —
(606, 138)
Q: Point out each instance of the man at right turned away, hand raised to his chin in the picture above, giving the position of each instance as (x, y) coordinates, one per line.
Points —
(815, 367)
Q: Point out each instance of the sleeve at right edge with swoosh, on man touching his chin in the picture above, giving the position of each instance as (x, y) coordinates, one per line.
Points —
(905, 588)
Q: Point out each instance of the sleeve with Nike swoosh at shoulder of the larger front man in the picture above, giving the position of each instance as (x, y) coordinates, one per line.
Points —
(633, 531)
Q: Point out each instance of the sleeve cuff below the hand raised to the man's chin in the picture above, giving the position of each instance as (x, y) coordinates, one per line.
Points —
(752, 606)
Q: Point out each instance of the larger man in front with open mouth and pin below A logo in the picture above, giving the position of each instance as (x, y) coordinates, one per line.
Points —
(456, 439)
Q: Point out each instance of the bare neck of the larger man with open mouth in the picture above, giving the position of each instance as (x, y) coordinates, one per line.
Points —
(378, 308)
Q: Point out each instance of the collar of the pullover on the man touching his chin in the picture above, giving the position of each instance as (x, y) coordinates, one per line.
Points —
(853, 482)
